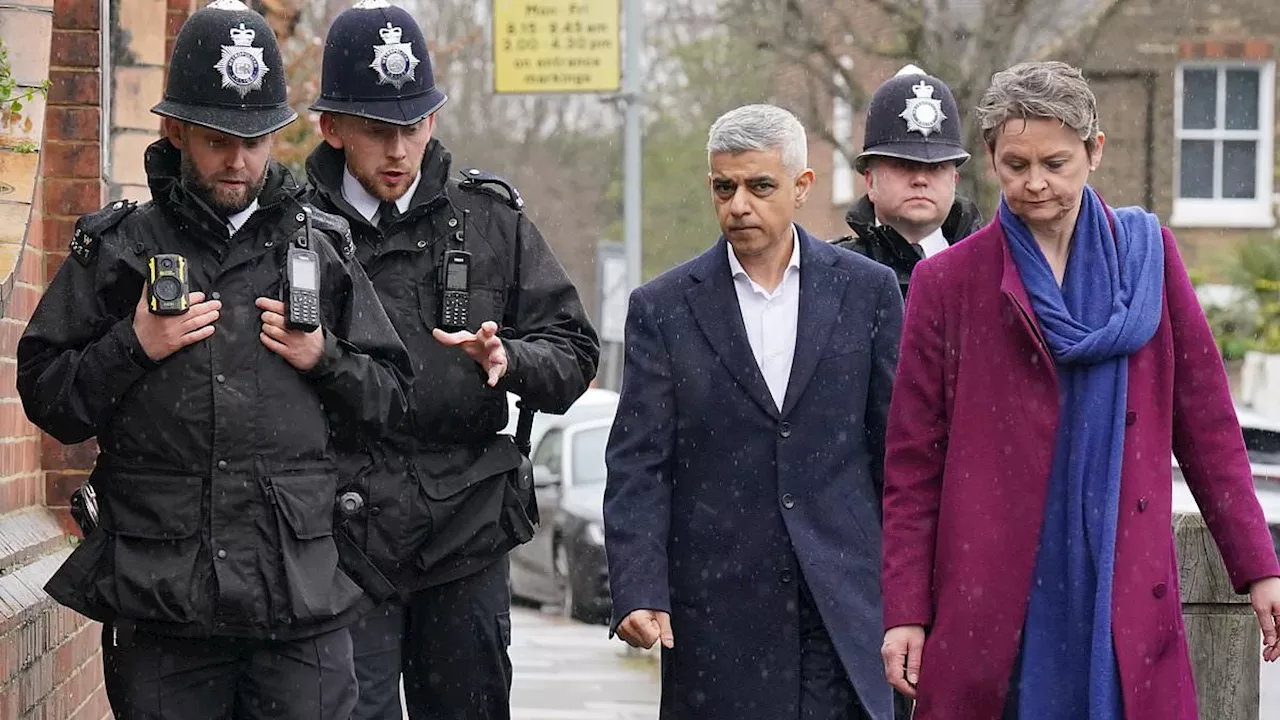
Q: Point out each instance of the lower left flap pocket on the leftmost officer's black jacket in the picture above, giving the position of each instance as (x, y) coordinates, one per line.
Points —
(154, 523)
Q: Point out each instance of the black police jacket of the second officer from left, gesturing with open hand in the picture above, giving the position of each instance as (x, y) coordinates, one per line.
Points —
(438, 493)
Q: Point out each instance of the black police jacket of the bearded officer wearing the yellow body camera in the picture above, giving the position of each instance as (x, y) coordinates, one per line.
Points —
(216, 475)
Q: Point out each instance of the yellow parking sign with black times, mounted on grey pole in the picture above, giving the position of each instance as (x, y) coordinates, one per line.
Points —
(557, 47)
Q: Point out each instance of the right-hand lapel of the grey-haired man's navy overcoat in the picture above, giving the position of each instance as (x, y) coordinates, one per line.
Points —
(822, 293)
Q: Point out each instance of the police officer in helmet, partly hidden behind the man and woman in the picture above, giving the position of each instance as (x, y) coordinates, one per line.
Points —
(912, 152)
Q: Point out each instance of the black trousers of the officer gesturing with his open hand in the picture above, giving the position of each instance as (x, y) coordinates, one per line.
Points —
(451, 645)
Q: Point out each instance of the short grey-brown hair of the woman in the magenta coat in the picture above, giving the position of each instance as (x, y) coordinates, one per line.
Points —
(1048, 90)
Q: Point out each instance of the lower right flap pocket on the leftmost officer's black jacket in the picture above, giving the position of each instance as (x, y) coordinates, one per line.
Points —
(317, 587)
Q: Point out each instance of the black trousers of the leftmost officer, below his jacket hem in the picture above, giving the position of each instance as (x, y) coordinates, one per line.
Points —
(162, 678)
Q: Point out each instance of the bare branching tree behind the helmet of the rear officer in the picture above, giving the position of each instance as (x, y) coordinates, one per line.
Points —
(830, 51)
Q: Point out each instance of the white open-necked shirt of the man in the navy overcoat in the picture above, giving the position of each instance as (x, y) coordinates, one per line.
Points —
(771, 320)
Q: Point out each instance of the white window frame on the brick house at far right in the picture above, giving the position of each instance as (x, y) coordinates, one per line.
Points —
(1226, 212)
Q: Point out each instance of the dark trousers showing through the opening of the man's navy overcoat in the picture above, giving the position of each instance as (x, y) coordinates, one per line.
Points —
(826, 692)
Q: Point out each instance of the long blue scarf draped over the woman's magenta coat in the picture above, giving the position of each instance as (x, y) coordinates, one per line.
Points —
(1108, 308)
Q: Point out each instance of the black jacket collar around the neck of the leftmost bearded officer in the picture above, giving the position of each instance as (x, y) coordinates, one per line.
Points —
(164, 177)
